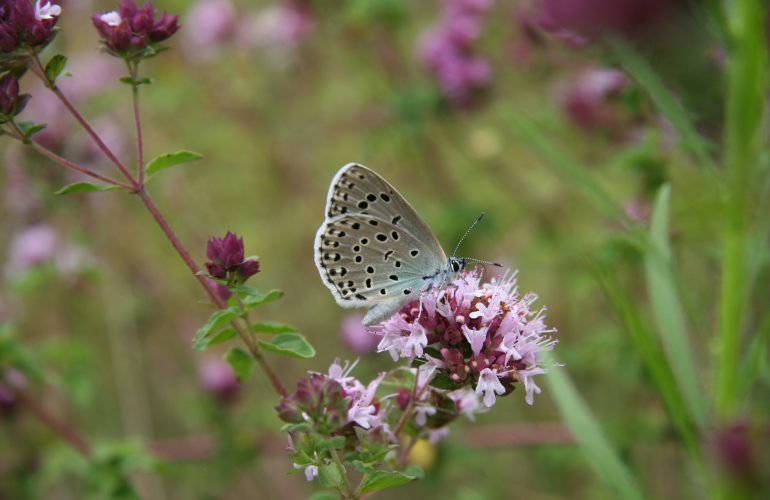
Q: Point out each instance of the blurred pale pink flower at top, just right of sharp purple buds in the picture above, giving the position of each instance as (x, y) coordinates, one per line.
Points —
(208, 24)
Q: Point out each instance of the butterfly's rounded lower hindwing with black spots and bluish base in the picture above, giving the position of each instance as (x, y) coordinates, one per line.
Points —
(364, 260)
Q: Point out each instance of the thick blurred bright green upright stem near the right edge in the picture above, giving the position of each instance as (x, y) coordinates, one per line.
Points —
(746, 88)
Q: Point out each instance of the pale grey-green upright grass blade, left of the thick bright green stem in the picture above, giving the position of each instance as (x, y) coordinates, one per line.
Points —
(667, 307)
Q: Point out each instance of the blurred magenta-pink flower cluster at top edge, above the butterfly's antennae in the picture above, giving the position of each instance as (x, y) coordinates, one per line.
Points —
(447, 50)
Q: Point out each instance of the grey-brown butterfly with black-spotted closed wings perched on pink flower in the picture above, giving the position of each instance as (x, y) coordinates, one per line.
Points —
(373, 249)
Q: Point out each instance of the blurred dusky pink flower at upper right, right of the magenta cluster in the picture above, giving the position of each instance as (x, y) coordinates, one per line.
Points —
(587, 100)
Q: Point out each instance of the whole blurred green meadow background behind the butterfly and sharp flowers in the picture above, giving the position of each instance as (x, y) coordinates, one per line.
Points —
(602, 162)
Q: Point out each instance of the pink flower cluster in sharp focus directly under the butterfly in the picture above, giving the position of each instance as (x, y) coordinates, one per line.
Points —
(484, 336)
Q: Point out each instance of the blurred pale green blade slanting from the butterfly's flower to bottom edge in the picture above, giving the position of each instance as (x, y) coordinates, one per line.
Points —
(600, 454)
